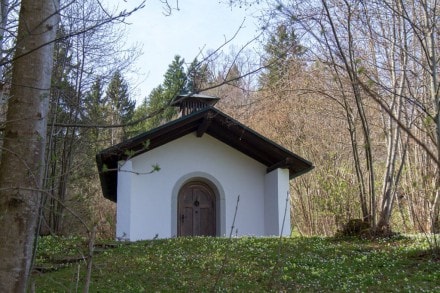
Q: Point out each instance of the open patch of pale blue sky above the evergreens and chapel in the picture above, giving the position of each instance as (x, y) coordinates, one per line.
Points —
(197, 25)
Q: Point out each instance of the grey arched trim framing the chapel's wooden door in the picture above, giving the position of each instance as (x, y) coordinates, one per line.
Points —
(219, 193)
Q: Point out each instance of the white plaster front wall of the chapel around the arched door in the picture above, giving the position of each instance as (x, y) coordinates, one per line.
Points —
(151, 207)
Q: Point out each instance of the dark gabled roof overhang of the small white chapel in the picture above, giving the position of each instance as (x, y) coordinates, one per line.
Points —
(210, 121)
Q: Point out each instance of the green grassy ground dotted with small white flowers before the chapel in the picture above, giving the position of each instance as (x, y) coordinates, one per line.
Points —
(241, 265)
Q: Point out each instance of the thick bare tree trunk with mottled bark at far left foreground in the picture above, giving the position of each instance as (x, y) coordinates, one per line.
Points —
(21, 169)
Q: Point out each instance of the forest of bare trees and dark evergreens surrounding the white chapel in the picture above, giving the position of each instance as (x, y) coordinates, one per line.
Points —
(351, 85)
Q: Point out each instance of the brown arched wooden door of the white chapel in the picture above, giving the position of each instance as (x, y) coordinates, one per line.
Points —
(196, 210)
